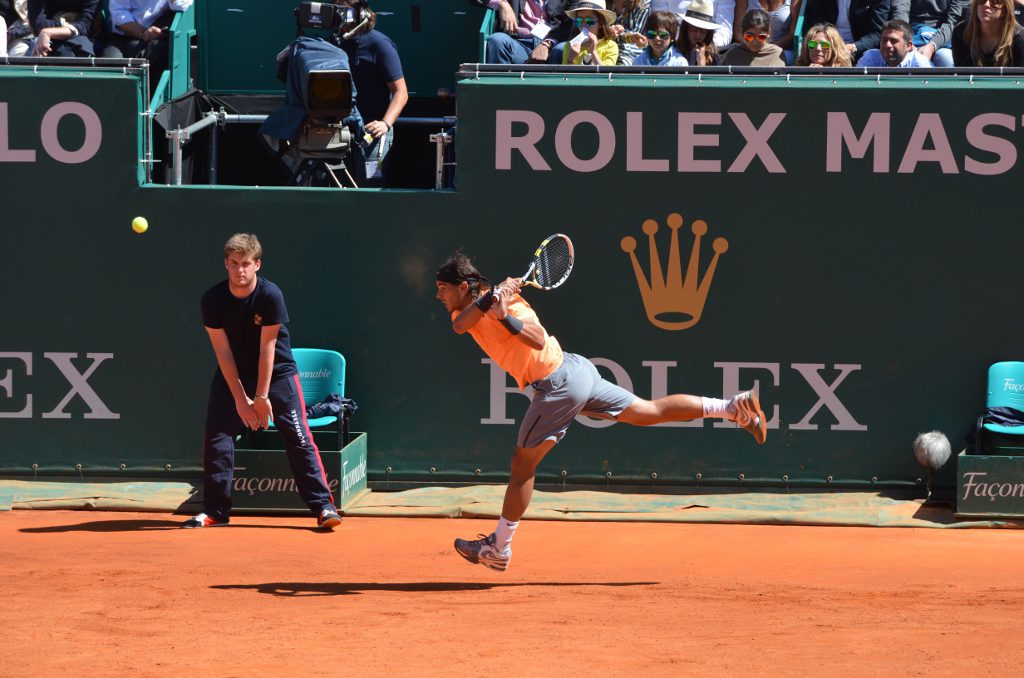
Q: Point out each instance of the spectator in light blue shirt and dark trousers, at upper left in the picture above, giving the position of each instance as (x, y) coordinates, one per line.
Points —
(141, 30)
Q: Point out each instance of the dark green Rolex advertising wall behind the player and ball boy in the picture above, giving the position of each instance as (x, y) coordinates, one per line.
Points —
(846, 248)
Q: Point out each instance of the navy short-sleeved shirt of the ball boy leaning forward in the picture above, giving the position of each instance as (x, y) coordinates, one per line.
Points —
(242, 321)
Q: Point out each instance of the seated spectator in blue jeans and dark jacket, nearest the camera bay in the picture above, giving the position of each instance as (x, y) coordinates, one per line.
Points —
(521, 23)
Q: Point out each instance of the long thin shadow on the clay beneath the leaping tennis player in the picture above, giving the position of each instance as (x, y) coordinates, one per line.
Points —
(298, 589)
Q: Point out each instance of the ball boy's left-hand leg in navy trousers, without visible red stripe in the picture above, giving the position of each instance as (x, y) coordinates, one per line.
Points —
(223, 425)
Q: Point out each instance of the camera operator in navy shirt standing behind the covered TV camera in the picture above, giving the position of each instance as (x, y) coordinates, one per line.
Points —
(381, 92)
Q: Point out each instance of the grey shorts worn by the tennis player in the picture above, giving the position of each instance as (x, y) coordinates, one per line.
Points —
(574, 389)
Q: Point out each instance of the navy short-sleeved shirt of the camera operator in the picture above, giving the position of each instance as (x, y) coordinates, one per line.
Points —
(374, 61)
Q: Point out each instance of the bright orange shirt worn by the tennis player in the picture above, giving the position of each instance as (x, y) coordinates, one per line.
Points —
(524, 363)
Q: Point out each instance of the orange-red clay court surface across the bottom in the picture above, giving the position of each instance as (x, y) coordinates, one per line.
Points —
(116, 595)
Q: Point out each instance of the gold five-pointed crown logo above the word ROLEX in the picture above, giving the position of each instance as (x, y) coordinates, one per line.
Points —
(671, 302)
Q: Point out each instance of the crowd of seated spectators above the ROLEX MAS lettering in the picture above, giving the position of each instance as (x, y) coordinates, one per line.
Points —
(677, 33)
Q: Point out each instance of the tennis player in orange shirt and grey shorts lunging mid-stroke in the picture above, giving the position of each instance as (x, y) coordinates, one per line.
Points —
(565, 386)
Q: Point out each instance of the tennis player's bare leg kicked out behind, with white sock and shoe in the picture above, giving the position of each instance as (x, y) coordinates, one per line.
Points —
(745, 409)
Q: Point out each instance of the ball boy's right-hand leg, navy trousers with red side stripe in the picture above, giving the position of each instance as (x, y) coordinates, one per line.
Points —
(304, 456)
